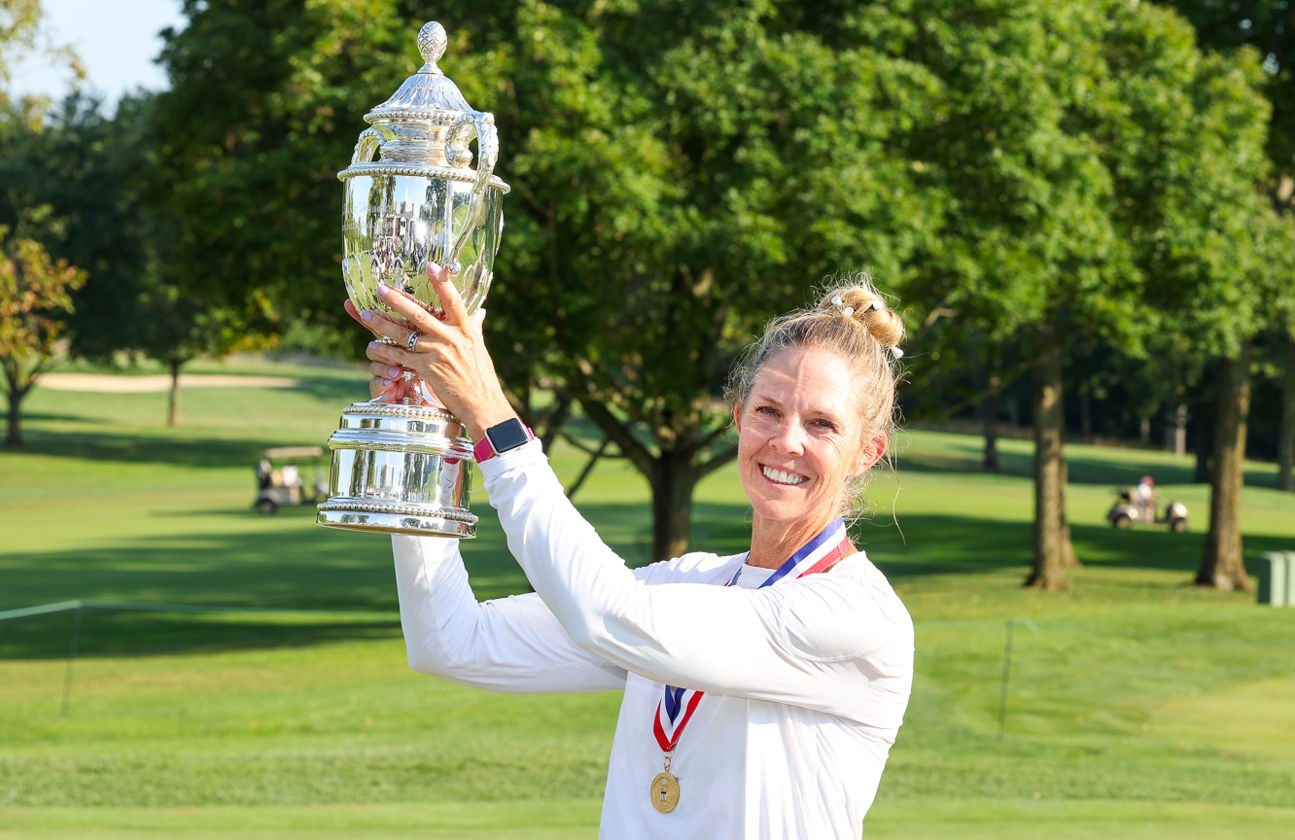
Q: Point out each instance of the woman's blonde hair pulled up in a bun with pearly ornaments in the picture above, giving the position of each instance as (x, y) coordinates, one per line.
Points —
(853, 322)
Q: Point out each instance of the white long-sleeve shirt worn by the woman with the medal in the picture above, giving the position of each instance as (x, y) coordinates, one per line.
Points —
(806, 681)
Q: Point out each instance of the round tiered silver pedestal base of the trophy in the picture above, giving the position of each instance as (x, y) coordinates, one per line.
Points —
(400, 469)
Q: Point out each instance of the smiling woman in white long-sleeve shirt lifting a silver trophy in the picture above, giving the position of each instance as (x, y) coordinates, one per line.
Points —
(762, 691)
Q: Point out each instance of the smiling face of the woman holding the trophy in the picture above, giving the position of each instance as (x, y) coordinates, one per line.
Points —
(801, 438)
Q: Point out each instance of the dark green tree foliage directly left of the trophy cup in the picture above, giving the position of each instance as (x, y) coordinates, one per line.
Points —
(249, 140)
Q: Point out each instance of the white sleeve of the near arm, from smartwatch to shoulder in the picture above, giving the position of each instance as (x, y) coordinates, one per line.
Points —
(840, 644)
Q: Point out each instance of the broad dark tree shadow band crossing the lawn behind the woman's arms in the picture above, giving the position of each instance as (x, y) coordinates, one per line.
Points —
(304, 569)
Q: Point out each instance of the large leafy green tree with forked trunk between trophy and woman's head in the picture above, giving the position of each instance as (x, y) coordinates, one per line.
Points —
(670, 164)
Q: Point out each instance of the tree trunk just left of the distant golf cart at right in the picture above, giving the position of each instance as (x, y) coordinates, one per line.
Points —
(1051, 539)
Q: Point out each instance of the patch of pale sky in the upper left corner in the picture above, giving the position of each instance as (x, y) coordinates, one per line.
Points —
(117, 39)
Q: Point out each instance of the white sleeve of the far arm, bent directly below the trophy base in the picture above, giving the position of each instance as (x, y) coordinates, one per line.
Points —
(507, 645)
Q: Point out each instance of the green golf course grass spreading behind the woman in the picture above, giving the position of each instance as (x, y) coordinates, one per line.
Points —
(1138, 707)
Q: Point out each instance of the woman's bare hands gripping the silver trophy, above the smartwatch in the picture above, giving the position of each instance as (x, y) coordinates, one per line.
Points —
(449, 354)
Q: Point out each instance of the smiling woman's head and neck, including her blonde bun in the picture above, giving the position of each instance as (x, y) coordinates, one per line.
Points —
(816, 394)
